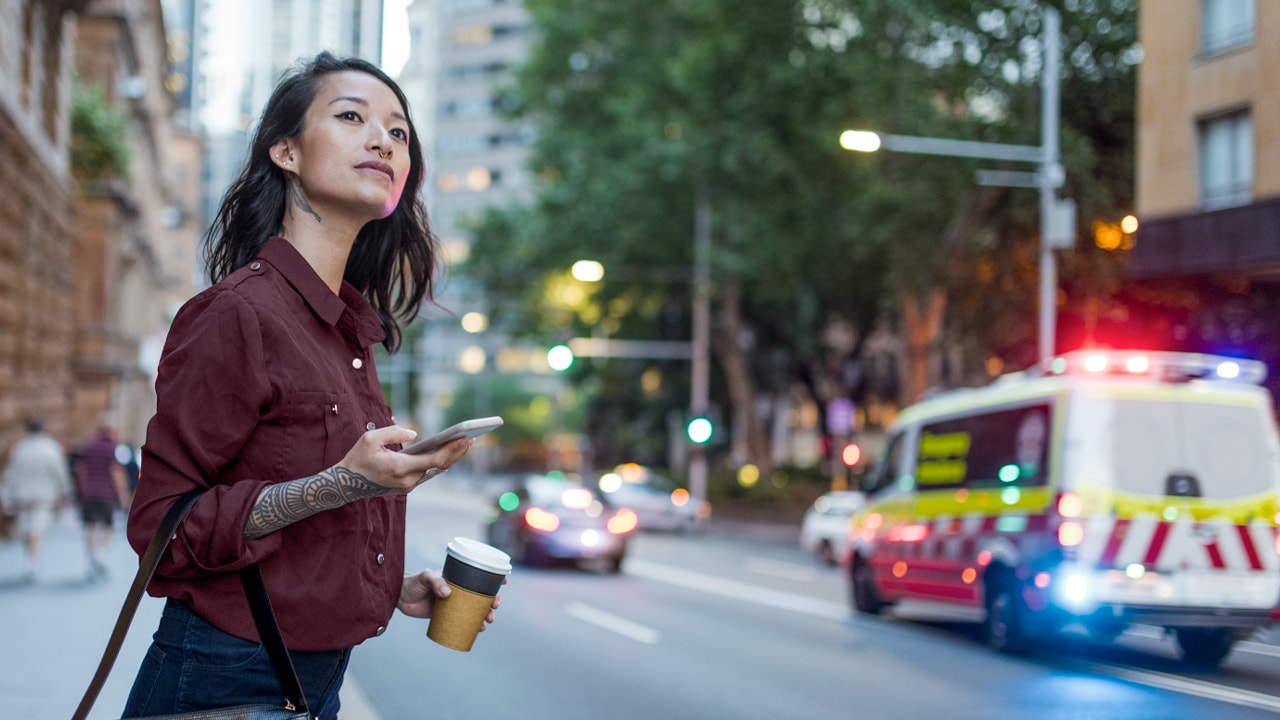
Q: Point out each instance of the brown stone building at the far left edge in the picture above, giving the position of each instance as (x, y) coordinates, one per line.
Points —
(38, 217)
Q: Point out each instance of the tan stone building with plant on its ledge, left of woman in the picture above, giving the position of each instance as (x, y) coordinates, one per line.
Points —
(129, 281)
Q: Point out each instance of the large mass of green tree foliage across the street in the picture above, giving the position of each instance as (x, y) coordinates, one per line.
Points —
(638, 107)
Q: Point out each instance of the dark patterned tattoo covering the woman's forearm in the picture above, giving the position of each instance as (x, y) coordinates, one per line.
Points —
(285, 504)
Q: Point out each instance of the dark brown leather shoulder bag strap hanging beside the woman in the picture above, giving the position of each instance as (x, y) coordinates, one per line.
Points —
(259, 603)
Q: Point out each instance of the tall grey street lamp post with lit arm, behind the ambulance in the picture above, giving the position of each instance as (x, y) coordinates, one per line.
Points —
(1058, 217)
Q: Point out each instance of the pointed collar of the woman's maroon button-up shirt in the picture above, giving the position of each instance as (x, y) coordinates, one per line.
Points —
(363, 320)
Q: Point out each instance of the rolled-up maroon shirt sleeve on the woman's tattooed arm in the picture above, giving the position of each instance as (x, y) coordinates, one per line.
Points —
(212, 390)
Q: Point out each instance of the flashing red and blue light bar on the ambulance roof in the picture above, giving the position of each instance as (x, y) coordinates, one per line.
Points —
(1171, 367)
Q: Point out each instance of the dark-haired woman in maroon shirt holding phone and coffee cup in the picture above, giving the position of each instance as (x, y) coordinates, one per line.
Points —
(268, 399)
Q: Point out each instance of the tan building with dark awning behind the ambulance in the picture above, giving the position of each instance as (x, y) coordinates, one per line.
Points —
(1209, 179)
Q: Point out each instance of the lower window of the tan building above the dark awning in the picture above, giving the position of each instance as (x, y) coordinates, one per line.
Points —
(1227, 161)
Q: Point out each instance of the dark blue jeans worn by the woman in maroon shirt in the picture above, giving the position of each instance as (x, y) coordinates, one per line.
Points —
(193, 666)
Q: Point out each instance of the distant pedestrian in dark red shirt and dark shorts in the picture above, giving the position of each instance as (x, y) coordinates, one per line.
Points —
(102, 490)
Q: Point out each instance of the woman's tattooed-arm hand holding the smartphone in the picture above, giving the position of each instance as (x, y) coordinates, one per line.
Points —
(399, 472)
